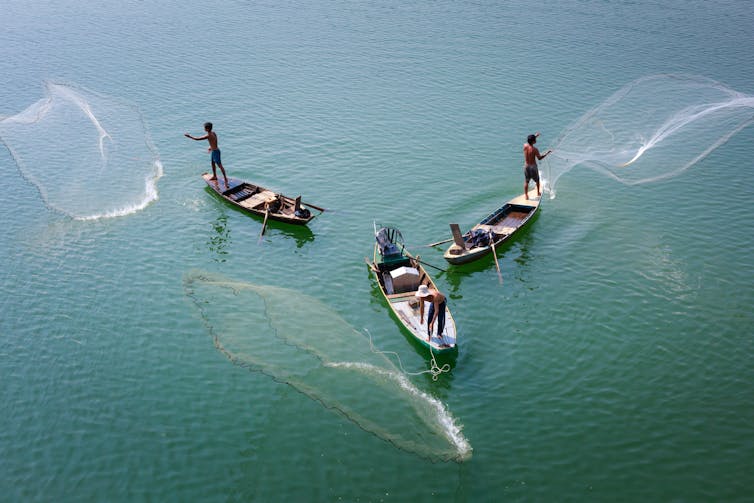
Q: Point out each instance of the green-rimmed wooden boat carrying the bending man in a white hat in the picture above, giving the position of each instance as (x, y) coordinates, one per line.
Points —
(399, 275)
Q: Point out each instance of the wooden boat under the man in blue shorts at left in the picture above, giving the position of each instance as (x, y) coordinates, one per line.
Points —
(259, 200)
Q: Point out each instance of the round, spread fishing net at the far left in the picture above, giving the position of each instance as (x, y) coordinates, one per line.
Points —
(88, 154)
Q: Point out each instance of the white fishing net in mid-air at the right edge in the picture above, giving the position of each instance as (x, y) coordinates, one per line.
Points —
(653, 128)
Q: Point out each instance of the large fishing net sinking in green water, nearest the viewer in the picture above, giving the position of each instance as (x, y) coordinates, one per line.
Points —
(299, 341)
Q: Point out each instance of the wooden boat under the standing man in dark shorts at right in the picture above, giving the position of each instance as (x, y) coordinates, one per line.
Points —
(493, 230)
